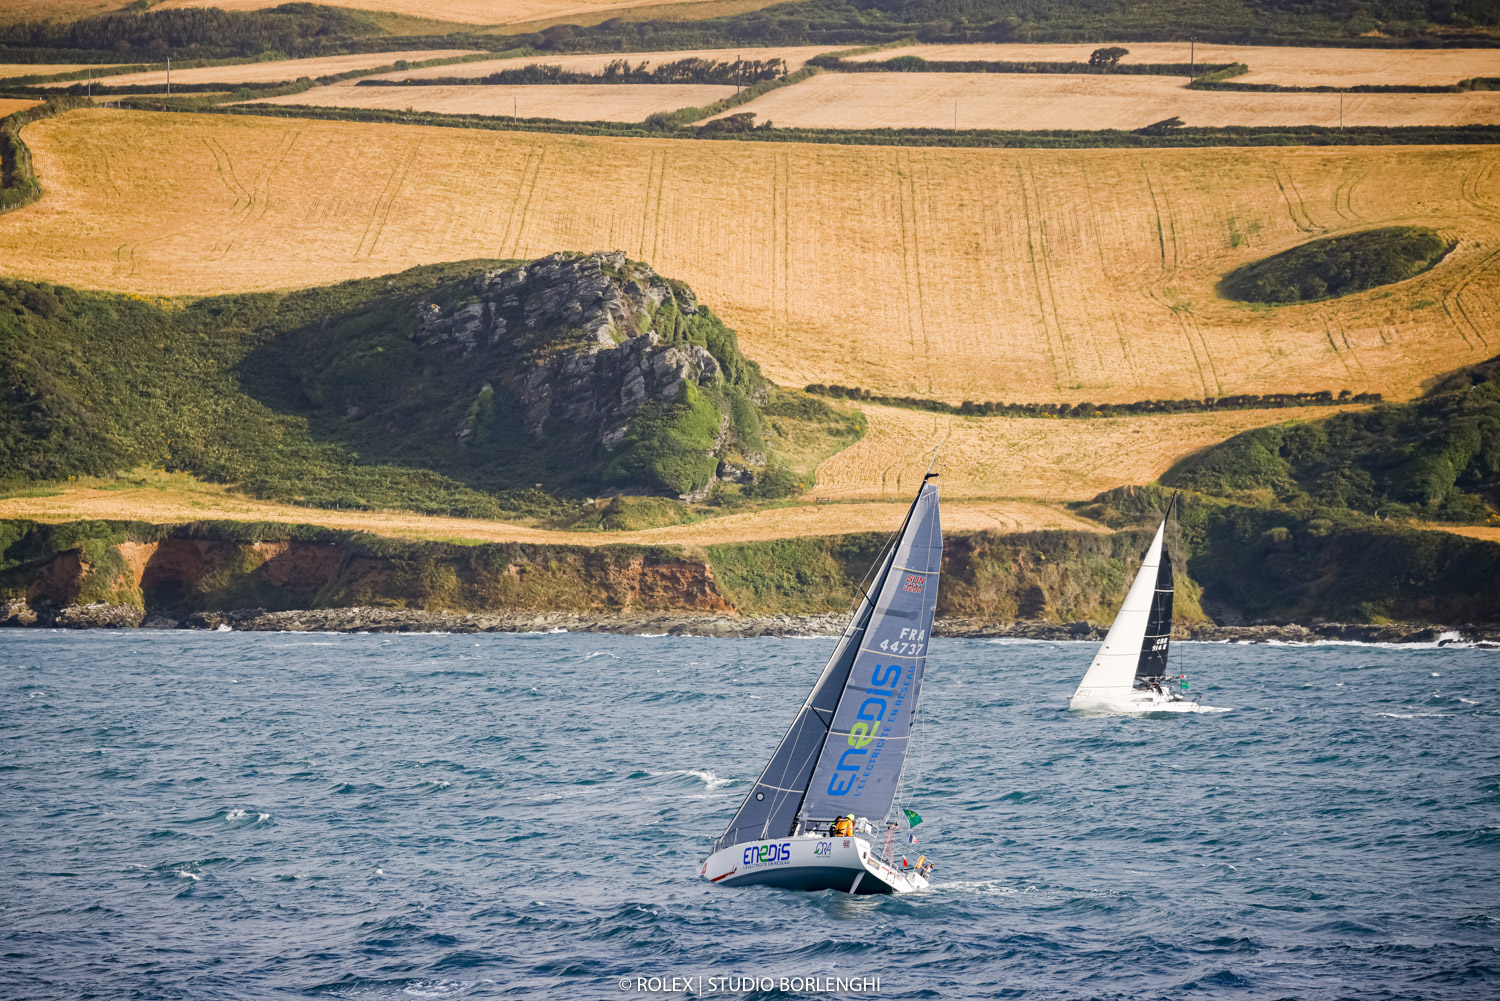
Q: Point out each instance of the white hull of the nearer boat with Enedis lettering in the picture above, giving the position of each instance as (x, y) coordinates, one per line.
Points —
(811, 862)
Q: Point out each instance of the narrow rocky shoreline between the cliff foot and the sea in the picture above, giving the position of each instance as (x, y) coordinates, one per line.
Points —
(391, 621)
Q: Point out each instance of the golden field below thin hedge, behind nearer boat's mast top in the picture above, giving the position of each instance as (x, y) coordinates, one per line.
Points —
(1031, 458)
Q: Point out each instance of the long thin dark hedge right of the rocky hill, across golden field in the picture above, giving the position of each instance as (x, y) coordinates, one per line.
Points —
(970, 409)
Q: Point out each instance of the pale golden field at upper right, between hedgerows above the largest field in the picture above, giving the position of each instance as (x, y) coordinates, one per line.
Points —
(1079, 101)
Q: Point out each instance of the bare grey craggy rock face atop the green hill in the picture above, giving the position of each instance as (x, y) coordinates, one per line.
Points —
(584, 329)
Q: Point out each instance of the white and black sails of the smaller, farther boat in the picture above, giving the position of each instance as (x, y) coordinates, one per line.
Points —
(1138, 643)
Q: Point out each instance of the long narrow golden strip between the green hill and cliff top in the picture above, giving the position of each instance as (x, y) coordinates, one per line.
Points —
(202, 500)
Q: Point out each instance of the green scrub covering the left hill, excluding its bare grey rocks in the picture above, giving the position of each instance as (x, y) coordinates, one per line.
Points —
(323, 397)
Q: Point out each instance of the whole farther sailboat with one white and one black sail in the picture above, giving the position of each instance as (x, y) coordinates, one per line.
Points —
(1130, 672)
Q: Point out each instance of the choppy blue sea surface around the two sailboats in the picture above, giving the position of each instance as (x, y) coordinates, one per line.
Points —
(223, 816)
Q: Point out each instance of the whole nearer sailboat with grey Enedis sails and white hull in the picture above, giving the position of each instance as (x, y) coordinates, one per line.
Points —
(847, 750)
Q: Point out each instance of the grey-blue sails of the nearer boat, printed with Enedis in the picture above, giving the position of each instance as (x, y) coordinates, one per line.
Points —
(847, 747)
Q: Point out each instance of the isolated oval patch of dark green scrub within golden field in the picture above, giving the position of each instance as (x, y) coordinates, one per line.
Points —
(1337, 266)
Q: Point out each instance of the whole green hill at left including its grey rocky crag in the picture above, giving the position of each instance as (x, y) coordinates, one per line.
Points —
(413, 391)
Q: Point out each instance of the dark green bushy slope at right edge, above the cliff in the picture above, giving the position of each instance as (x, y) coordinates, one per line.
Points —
(1435, 458)
